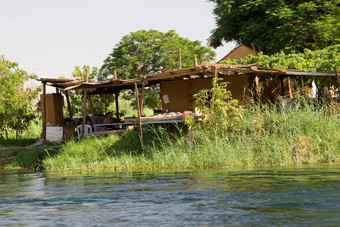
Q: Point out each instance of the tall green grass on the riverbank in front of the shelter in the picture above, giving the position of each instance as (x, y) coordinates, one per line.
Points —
(265, 135)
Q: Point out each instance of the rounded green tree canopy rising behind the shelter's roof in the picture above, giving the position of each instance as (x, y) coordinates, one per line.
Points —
(144, 52)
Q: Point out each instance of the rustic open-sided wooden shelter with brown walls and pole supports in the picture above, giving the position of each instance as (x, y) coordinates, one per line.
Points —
(177, 86)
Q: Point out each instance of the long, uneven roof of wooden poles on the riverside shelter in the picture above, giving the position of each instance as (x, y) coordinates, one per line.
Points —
(204, 70)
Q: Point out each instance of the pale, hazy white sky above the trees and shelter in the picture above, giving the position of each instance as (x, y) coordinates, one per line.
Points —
(50, 37)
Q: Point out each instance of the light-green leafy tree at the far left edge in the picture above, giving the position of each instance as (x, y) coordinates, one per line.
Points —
(16, 101)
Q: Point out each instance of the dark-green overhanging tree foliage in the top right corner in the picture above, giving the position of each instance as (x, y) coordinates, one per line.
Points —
(275, 25)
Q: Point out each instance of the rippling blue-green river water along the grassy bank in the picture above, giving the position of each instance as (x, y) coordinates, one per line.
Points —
(237, 196)
